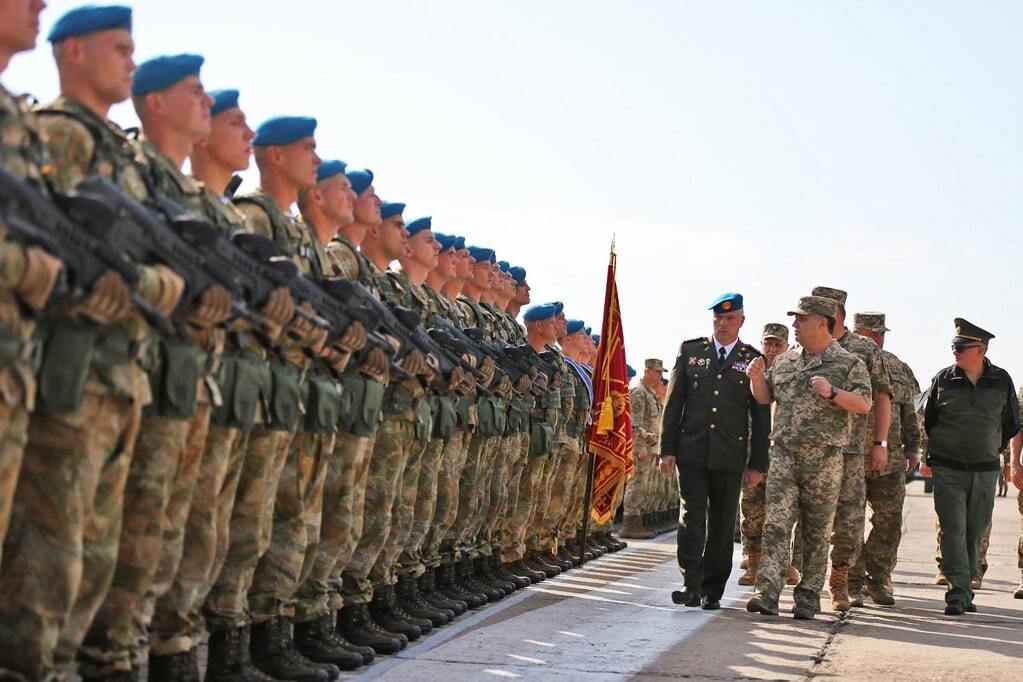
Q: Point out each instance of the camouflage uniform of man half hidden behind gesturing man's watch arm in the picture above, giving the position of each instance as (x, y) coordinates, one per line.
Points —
(848, 539)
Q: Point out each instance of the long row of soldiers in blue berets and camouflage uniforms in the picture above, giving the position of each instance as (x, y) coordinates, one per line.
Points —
(294, 491)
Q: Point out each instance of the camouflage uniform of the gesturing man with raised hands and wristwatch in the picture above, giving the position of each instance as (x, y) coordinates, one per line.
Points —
(808, 437)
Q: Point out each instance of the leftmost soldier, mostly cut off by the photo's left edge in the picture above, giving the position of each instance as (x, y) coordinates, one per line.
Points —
(27, 275)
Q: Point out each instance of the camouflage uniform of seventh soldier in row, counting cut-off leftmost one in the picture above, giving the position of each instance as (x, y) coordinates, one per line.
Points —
(345, 489)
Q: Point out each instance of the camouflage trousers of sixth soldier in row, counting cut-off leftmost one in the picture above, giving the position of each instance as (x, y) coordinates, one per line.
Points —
(298, 513)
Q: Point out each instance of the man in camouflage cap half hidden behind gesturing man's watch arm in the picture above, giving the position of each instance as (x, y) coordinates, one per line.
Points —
(848, 540)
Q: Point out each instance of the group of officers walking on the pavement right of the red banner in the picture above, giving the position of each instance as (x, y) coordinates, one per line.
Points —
(810, 436)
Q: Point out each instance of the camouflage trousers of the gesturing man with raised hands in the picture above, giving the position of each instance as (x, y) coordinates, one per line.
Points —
(804, 485)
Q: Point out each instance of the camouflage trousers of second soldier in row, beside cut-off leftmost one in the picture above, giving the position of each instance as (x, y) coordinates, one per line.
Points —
(62, 548)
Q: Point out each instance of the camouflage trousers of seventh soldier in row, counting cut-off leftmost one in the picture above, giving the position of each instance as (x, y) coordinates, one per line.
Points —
(344, 505)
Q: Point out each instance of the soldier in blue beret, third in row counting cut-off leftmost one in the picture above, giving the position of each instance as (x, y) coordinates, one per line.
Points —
(174, 109)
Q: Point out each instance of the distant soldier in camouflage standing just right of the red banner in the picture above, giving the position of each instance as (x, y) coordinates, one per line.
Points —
(646, 431)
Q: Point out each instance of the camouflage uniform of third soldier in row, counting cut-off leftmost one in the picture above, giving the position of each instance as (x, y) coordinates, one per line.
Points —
(164, 471)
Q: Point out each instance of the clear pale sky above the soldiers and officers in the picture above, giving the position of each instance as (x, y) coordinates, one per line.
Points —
(763, 148)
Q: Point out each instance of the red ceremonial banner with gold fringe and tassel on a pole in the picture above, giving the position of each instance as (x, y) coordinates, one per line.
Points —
(611, 432)
